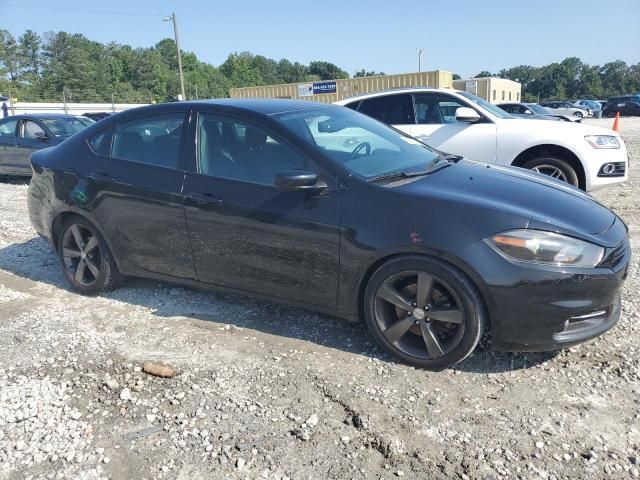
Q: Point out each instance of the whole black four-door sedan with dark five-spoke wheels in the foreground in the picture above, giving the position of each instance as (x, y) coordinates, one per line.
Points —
(322, 207)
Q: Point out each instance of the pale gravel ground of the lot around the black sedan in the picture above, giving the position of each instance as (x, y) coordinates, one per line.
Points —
(264, 391)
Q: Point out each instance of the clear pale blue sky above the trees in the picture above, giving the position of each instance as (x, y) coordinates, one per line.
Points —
(461, 36)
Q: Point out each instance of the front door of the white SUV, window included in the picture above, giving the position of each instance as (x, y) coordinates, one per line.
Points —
(437, 127)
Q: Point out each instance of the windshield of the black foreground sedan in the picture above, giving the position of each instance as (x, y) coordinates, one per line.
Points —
(359, 143)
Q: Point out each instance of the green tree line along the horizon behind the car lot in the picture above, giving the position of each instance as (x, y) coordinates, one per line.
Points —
(60, 65)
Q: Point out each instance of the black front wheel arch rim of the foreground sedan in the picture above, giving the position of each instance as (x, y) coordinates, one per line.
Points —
(462, 267)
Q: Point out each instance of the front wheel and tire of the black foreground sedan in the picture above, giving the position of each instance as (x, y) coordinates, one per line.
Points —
(452, 292)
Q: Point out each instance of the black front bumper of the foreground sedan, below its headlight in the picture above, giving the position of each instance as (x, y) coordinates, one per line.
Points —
(540, 308)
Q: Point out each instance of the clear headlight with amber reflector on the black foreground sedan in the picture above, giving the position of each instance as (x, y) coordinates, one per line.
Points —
(547, 248)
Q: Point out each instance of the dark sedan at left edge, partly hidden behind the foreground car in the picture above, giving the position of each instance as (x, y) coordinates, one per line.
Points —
(21, 135)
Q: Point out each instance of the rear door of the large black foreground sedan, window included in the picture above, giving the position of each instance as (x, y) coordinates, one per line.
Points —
(136, 178)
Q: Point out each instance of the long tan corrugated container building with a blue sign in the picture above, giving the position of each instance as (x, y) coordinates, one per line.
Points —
(333, 90)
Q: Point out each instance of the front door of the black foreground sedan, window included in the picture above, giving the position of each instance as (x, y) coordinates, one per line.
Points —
(248, 235)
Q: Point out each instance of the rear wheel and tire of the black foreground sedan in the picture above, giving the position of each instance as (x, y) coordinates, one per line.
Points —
(100, 273)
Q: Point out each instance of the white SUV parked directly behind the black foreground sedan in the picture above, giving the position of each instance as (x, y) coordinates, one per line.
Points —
(460, 123)
